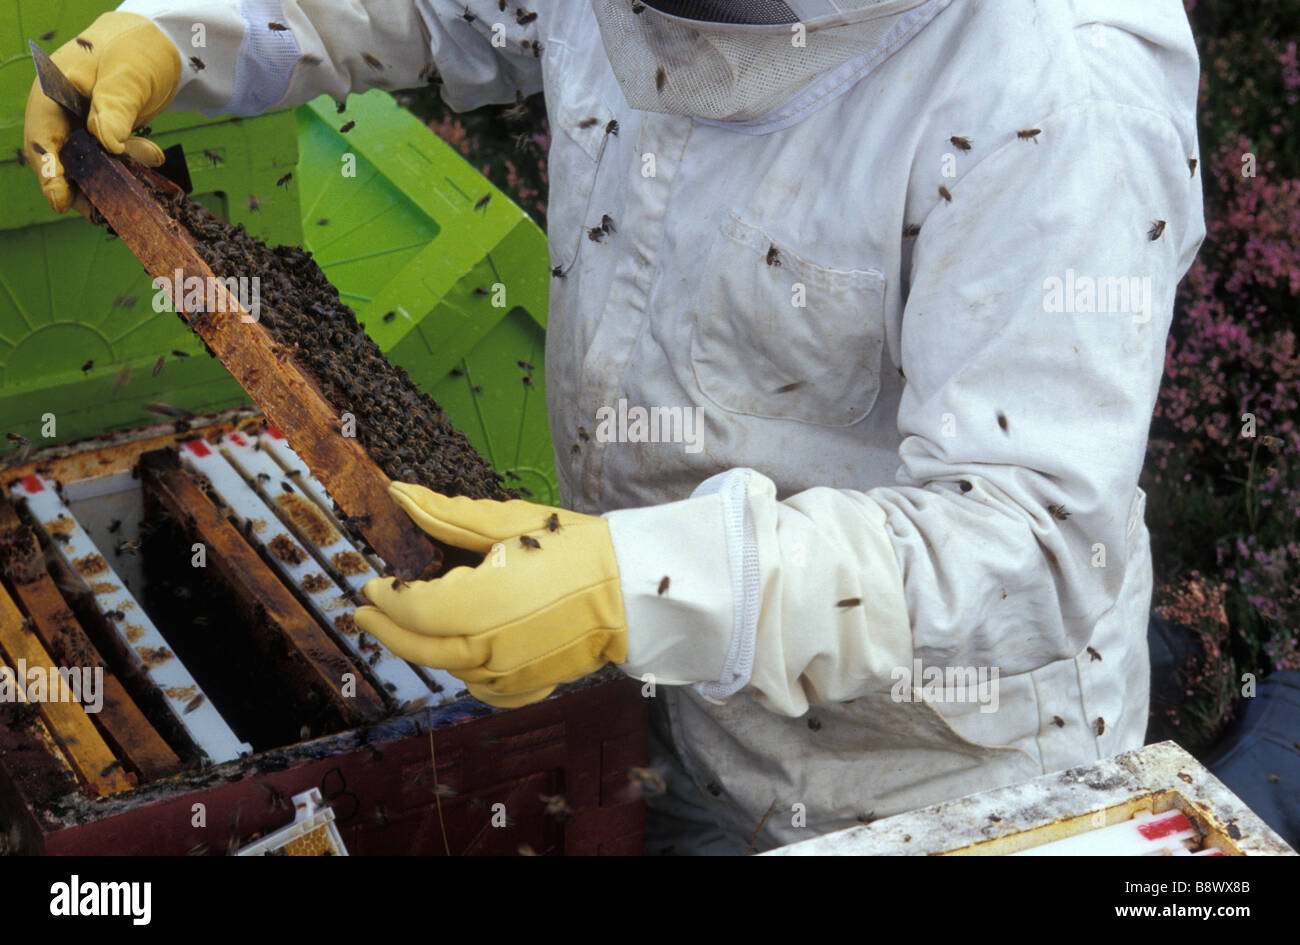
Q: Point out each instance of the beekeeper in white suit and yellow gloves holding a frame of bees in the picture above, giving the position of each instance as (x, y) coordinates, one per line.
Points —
(859, 314)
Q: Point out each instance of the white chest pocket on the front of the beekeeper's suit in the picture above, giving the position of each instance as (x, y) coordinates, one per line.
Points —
(778, 337)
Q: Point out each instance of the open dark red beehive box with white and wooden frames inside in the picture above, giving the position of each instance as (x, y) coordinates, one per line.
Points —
(439, 774)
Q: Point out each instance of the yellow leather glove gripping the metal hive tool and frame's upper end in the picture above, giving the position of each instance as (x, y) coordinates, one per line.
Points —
(131, 71)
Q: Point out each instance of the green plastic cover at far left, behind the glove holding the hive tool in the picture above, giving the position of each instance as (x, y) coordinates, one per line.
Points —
(80, 339)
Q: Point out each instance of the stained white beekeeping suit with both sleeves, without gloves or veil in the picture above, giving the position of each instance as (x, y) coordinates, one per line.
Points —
(939, 359)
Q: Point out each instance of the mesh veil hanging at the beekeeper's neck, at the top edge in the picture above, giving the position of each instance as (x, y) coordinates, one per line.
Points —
(736, 60)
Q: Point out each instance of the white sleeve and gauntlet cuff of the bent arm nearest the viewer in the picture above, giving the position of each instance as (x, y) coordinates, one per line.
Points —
(1024, 430)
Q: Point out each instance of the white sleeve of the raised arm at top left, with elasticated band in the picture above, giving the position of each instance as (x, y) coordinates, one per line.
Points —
(236, 59)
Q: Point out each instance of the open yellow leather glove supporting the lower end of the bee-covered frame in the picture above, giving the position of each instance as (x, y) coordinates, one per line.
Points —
(544, 608)
